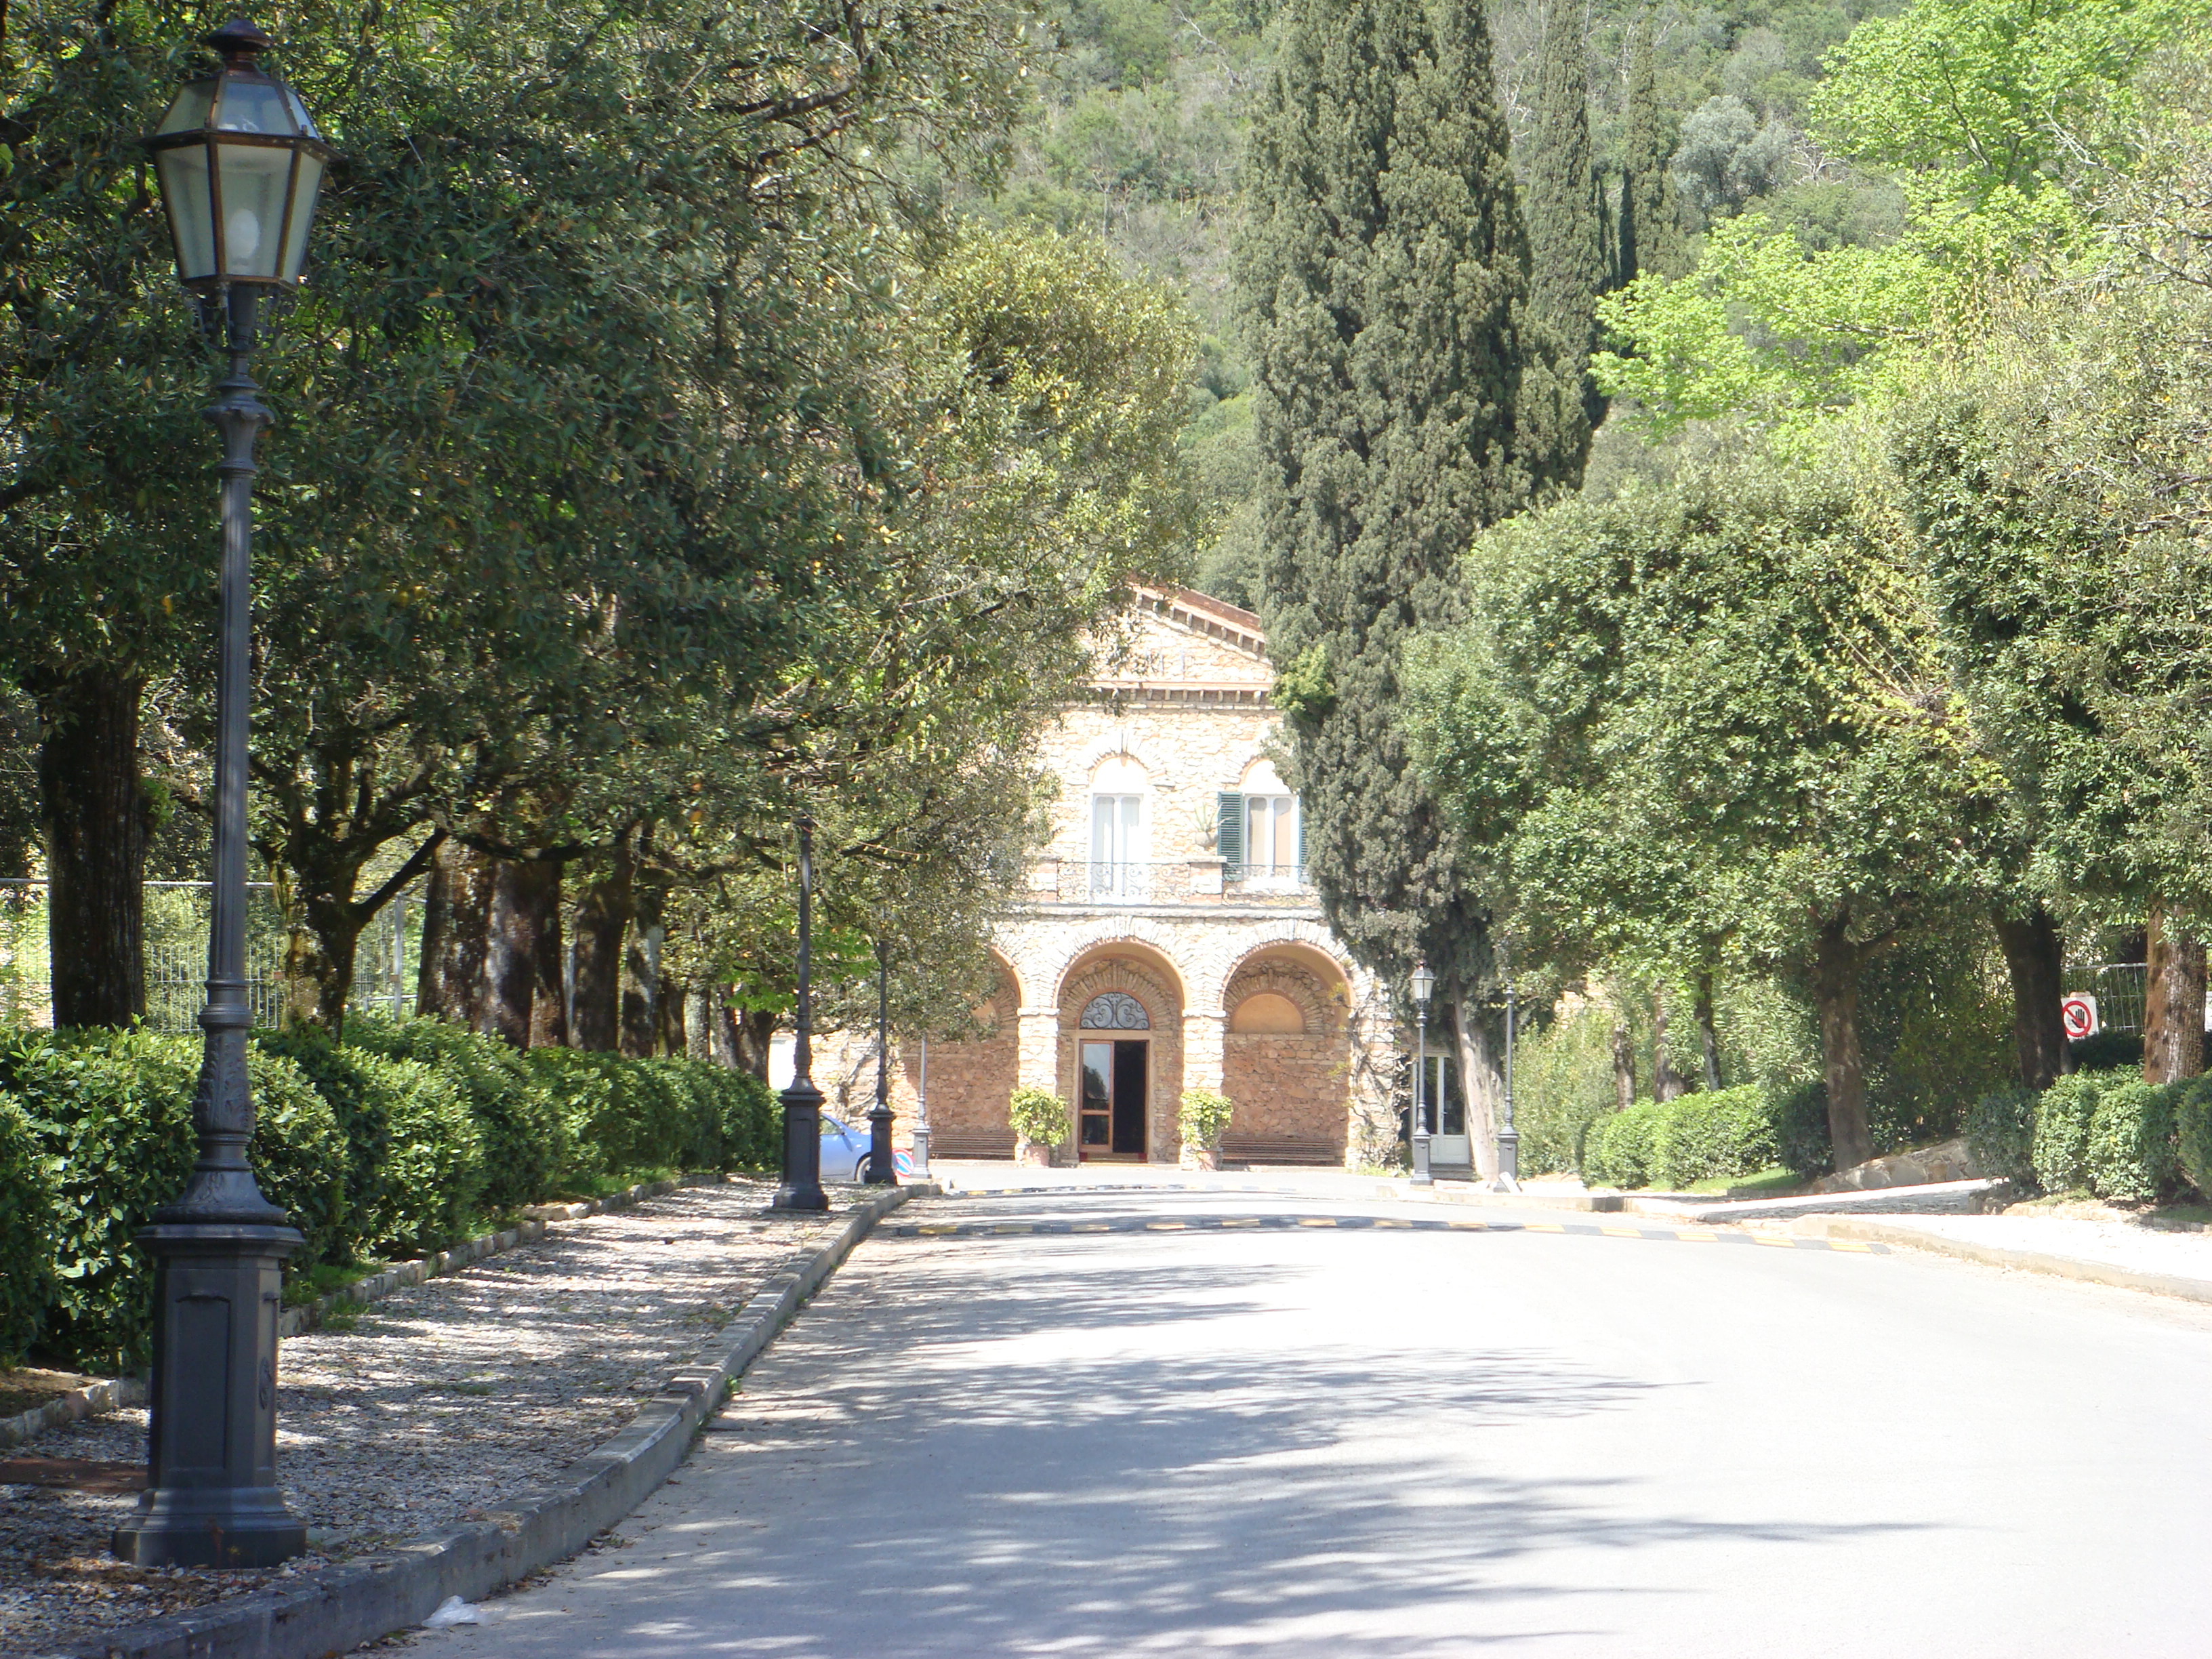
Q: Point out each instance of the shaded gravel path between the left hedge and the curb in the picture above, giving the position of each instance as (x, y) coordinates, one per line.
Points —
(439, 1404)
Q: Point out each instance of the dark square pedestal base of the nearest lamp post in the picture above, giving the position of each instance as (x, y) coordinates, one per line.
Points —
(213, 1494)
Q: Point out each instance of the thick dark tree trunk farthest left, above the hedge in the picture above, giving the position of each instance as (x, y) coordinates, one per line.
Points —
(96, 820)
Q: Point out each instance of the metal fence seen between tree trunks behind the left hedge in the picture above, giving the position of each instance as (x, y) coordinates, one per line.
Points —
(178, 957)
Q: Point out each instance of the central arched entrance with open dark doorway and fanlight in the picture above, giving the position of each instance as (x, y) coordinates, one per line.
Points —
(1123, 1054)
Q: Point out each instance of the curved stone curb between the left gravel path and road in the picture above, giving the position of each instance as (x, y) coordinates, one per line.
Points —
(371, 1598)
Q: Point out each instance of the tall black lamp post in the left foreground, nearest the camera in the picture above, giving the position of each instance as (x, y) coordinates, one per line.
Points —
(240, 167)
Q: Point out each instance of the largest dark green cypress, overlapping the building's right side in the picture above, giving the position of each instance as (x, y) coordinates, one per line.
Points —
(1386, 278)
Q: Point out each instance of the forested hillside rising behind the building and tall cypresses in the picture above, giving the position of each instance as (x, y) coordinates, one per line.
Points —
(1138, 129)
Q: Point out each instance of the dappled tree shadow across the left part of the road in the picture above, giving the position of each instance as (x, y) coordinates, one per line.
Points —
(1109, 1457)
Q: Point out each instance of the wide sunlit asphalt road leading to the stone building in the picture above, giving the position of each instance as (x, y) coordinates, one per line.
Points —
(1293, 1439)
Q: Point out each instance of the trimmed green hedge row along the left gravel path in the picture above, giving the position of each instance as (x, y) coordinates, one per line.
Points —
(397, 1142)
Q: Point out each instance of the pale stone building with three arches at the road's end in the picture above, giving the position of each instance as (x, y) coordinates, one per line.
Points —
(1169, 939)
